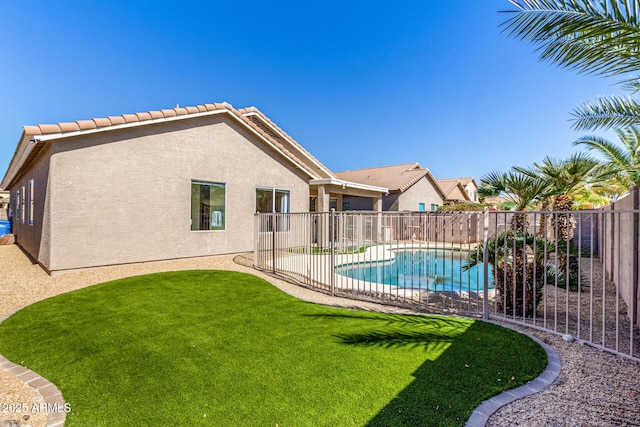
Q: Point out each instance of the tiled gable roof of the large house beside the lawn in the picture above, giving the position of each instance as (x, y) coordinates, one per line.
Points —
(34, 138)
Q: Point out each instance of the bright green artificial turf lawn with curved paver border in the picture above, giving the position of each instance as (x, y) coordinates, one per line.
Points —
(228, 349)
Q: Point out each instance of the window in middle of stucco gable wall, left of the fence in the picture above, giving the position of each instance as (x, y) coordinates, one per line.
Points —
(208, 202)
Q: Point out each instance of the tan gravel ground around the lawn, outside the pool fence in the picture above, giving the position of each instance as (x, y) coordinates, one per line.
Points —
(594, 388)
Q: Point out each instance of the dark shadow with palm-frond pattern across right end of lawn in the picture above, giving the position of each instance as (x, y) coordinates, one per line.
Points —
(469, 362)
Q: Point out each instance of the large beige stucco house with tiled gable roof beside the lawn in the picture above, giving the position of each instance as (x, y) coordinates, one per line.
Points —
(175, 183)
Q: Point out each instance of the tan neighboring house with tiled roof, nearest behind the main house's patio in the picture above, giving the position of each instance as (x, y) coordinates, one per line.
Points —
(411, 188)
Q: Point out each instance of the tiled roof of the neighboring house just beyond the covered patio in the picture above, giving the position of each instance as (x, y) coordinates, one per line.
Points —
(397, 178)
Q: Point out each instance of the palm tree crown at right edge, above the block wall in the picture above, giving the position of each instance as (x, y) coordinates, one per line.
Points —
(623, 160)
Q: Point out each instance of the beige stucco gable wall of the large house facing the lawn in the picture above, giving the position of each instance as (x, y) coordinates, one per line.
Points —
(124, 196)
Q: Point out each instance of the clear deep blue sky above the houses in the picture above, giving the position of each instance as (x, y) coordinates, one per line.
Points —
(358, 84)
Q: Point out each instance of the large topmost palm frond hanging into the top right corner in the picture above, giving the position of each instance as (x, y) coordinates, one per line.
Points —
(599, 37)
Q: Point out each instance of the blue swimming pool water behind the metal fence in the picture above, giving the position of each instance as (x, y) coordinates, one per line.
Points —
(435, 270)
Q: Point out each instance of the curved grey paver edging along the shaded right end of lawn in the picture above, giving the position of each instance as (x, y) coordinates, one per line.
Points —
(481, 414)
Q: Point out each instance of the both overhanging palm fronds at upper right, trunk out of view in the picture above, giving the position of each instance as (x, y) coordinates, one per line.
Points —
(591, 36)
